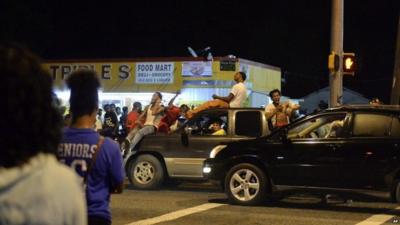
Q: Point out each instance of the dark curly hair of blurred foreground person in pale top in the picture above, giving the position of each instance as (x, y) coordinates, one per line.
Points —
(30, 122)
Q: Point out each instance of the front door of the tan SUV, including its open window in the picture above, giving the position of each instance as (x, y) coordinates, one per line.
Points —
(185, 153)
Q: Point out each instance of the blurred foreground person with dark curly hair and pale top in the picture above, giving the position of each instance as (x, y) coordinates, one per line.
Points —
(34, 187)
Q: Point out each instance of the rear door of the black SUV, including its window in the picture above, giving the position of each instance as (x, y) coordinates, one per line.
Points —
(371, 153)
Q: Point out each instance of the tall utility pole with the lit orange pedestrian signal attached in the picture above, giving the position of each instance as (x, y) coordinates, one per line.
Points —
(336, 77)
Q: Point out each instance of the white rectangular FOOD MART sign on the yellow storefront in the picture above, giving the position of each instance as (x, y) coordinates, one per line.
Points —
(155, 73)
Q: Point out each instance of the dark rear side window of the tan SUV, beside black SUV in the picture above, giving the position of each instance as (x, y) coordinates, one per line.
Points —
(248, 123)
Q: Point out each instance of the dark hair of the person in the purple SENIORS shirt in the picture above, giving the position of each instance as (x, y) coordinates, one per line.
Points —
(84, 99)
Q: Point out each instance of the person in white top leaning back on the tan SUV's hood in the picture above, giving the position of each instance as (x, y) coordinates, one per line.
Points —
(152, 115)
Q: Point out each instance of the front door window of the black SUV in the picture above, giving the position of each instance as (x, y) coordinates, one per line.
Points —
(326, 126)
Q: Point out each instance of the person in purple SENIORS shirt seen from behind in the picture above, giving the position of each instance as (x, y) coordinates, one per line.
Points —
(102, 172)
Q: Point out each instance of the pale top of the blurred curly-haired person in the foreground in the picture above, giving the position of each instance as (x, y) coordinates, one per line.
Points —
(42, 191)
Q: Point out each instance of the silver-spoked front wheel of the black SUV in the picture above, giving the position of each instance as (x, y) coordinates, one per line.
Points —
(246, 184)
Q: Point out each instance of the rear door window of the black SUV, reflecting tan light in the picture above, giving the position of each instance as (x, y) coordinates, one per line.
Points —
(371, 125)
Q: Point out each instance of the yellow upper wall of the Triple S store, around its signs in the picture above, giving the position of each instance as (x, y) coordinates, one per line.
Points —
(121, 76)
